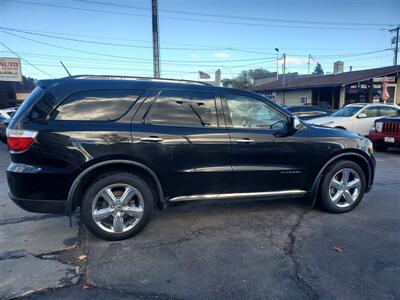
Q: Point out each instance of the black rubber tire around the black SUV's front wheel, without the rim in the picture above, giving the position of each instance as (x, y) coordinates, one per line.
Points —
(325, 191)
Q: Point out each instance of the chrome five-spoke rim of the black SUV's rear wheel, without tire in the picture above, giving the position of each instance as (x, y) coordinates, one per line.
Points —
(117, 208)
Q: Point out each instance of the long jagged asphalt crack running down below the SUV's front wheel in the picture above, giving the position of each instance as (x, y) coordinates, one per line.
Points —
(290, 251)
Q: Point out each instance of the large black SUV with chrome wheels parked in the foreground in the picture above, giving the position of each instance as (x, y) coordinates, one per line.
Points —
(117, 147)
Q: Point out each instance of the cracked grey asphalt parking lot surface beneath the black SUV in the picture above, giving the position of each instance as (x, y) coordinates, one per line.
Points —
(254, 250)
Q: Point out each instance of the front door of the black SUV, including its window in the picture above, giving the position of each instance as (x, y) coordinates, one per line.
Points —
(264, 158)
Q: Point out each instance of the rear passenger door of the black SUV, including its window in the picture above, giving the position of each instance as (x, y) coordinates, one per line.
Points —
(181, 135)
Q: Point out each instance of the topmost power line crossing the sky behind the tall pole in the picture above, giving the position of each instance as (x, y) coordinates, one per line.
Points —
(197, 20)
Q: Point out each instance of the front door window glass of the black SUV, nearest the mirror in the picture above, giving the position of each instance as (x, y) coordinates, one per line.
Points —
(246, 112)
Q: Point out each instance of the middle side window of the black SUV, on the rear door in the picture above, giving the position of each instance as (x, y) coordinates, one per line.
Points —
(184, 108)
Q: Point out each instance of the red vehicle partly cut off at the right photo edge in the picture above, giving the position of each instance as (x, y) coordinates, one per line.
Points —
(385, 133)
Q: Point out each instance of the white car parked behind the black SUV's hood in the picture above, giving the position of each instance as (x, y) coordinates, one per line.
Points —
(357, 117)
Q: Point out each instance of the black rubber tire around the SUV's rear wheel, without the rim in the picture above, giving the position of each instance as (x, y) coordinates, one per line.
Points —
(111, 179)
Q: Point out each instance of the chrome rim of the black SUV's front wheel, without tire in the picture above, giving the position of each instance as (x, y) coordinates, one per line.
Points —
(345, 187)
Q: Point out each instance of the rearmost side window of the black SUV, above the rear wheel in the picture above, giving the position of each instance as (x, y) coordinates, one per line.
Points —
(97, 105)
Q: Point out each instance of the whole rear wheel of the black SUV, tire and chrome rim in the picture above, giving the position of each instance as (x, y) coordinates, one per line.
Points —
(117, 206)
